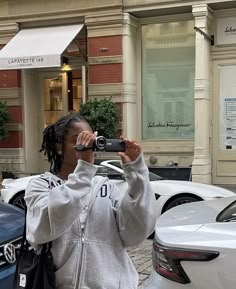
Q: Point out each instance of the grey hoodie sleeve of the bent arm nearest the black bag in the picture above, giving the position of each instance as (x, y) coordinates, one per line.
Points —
(50, 211)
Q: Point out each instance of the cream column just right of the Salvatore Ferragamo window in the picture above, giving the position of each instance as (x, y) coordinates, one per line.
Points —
(201, 167)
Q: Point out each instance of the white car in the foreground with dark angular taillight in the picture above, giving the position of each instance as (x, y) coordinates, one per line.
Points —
(195, 247)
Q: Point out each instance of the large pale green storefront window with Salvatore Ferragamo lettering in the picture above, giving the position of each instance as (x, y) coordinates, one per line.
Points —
(168, 67)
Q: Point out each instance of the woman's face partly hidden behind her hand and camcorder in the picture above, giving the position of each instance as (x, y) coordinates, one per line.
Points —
(69, 153)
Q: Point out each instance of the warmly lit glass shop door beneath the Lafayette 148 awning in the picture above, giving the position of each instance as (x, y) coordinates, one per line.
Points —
(60, 93)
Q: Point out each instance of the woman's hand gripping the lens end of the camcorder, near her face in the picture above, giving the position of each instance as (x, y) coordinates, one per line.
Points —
(86, 139)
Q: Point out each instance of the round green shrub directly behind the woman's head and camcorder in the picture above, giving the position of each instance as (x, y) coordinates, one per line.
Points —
(102, 115)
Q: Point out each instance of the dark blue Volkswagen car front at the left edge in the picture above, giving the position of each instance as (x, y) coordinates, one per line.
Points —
(11, 229)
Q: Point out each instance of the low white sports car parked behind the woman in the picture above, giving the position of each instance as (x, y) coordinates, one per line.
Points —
(168, 193)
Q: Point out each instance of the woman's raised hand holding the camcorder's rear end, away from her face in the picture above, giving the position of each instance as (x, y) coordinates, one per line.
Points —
(132, 151)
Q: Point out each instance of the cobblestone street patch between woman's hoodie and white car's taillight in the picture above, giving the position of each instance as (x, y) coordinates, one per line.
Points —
(142, 260)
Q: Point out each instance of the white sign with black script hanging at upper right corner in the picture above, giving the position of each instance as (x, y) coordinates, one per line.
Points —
(226, 31)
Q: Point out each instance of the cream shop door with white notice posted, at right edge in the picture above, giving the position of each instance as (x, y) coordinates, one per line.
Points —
(224, 122)
